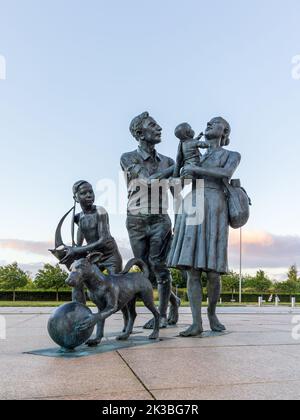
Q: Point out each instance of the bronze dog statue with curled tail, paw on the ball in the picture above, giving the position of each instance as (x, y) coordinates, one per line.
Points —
(111, 293)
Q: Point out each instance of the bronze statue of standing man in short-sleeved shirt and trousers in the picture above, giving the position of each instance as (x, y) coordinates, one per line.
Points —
(148, 223)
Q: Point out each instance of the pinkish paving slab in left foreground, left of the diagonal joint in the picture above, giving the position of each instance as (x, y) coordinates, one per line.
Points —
(34, 377)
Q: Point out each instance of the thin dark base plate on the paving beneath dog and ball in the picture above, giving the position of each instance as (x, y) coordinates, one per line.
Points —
(105, 347)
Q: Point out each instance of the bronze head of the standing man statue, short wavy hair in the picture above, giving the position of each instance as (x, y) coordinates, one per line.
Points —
(145, 128)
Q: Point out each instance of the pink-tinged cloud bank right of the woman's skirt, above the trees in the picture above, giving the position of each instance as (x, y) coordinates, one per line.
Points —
(262, 249)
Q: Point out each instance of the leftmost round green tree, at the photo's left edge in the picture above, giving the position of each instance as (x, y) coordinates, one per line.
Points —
(12, 278)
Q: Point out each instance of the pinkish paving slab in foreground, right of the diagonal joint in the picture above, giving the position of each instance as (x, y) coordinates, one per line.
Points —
(211, 366)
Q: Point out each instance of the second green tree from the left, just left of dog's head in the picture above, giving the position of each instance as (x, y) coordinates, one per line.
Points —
(51, 277)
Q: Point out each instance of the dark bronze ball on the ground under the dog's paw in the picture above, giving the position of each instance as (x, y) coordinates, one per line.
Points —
(63, 323)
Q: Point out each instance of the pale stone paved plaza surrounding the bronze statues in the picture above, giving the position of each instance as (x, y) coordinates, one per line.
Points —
(258, 358)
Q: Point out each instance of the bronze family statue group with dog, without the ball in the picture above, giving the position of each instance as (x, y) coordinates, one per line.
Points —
(195, 248)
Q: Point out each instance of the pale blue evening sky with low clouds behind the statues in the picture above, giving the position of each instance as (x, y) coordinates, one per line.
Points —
(78, 72)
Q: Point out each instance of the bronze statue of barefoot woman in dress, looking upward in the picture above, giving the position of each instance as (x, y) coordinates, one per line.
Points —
(203, 247)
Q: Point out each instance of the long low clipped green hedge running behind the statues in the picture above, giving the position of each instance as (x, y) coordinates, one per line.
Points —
(66, 296)
